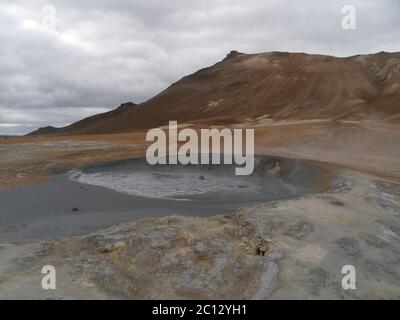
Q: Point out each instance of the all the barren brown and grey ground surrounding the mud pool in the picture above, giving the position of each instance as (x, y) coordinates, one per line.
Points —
(307, 240)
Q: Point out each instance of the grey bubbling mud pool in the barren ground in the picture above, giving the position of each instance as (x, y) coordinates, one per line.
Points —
(95, 197)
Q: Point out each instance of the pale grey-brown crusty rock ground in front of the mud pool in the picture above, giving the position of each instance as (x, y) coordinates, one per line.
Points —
(287, 249)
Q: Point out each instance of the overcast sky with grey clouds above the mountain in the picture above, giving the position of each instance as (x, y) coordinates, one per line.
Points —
(84, 57)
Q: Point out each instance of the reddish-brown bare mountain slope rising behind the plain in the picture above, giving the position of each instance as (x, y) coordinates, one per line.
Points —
(278, 84)
